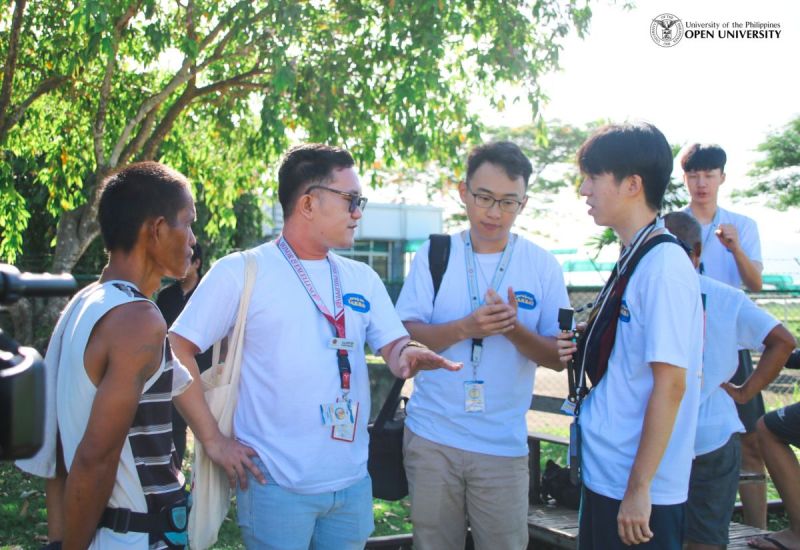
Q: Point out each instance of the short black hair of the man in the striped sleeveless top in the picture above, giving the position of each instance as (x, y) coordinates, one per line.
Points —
(136, 193)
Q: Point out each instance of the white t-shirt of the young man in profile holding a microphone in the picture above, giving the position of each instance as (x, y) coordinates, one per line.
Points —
(662, 321)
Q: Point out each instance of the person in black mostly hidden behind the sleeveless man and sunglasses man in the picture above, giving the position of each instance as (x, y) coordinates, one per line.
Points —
(170, 301)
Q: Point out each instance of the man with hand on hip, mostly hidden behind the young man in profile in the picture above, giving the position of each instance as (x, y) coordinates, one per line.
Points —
(732, 321)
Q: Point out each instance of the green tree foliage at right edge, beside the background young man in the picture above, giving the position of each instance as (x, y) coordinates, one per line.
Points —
(777, 174)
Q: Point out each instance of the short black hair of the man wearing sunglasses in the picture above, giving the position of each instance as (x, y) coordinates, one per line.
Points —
(306, 165)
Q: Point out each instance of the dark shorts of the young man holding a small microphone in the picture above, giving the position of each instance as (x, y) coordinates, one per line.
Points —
(598, 525)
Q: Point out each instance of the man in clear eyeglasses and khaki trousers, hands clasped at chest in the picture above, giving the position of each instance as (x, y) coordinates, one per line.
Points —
(465, 445)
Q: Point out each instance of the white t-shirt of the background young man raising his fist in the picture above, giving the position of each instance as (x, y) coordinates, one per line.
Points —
(718, 261)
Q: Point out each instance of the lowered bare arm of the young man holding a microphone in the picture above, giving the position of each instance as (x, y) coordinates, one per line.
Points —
(669, 385)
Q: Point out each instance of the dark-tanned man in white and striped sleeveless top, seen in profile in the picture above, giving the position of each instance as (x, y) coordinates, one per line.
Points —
(115, 377)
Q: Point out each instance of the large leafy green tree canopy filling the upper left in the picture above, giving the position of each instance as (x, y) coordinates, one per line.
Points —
(218, 88)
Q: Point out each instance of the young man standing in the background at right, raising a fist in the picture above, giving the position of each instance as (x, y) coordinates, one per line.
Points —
(731, 254)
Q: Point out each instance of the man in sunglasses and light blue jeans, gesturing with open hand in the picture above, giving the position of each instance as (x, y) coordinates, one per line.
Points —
(304, 391)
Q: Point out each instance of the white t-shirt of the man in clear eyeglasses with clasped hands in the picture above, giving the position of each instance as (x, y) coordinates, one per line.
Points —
(436, 410)
